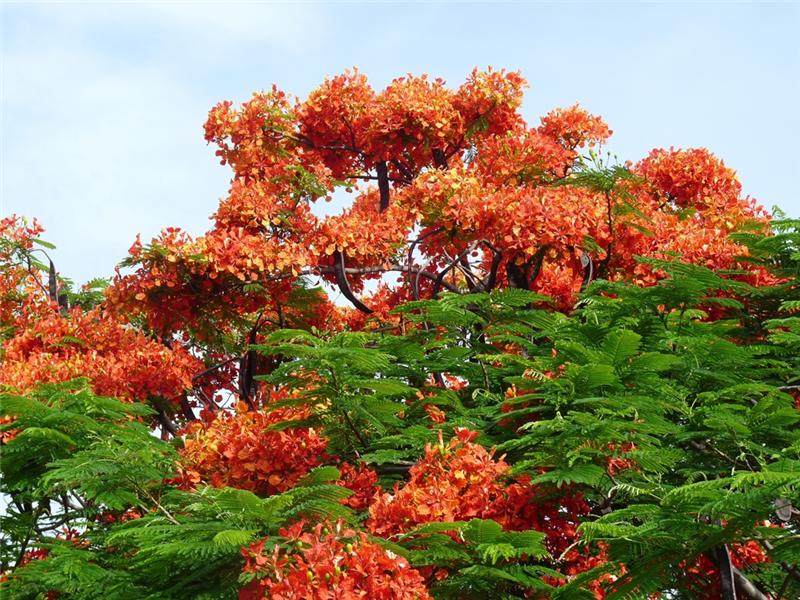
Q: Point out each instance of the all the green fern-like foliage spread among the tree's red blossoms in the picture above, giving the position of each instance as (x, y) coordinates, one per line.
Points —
(670, 410)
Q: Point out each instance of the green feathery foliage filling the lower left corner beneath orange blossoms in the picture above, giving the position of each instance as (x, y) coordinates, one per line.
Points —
(84, 464)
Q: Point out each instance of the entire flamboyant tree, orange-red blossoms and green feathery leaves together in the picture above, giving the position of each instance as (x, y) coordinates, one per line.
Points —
(556, 376)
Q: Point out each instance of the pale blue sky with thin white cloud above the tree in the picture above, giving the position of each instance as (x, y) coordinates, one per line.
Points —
(103, 103)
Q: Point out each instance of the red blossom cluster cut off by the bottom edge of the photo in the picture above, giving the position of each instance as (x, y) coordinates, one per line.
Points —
(327, 562)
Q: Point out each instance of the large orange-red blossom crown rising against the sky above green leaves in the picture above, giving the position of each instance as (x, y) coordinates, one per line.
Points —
(451, 189)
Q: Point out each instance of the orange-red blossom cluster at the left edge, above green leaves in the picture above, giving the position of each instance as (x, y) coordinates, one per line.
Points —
(48, 343)
